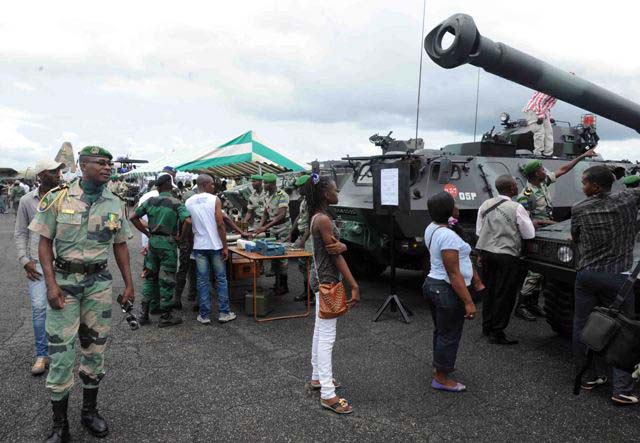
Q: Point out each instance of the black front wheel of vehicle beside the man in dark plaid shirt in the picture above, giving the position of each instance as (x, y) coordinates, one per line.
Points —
(558, 306)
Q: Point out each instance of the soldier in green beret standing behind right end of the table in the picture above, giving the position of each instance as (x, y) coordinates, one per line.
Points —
(276, 220)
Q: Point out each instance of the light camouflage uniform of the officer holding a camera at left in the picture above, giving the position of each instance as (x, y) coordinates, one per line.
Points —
(83, 234)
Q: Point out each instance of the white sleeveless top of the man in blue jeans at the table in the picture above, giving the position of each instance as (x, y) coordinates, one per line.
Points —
(202, 208)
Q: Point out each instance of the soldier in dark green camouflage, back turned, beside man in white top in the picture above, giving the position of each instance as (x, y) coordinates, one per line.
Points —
(166, 218)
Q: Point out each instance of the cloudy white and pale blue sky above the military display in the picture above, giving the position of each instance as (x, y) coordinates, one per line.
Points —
(313, 79)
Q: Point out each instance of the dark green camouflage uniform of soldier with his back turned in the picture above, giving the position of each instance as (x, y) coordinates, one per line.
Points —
(166, 214)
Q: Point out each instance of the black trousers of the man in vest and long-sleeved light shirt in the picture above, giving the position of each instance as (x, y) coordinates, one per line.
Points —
(502, 274)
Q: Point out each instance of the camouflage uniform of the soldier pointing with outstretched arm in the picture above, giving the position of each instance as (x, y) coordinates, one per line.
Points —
(537, 201)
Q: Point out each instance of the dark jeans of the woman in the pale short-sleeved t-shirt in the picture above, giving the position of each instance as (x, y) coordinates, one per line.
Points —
(447, 311)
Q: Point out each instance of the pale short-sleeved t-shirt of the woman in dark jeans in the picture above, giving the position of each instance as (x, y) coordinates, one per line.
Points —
(446, 239)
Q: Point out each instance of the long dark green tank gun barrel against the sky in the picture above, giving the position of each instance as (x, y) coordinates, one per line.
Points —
(504, 61)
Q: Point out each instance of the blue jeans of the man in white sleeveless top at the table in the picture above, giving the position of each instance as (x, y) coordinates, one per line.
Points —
(206, 261)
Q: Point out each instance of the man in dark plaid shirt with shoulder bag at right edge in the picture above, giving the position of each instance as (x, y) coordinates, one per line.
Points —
(603, 227)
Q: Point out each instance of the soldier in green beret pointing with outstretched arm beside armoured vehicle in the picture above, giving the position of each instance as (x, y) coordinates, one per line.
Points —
(536, 199)
